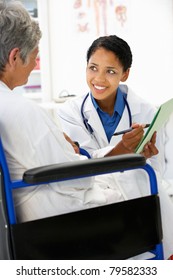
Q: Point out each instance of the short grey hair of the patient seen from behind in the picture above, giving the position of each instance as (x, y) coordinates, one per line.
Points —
(17, 30)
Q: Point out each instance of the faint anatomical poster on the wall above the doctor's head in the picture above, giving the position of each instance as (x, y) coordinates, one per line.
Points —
(101, 17)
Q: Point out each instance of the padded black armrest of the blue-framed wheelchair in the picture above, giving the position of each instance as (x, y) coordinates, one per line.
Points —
(84, 168)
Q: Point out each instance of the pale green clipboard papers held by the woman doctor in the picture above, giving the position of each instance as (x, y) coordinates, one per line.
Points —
(161, 116)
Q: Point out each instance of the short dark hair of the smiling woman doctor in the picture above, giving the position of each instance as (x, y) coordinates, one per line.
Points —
(114, 44)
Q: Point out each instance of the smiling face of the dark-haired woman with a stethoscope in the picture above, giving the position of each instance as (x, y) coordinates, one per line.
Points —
(104, 73)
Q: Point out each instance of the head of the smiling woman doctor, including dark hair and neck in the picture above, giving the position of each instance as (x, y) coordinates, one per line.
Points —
(109, 59)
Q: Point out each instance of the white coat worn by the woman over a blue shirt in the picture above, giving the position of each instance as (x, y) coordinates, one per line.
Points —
(97, 143)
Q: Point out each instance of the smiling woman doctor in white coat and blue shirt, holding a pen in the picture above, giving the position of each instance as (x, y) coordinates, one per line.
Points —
(108, 108)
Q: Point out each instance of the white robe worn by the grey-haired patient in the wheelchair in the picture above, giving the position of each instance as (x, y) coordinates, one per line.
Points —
(31, 139)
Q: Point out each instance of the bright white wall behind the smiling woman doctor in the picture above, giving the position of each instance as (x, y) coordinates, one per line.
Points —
(148, 30)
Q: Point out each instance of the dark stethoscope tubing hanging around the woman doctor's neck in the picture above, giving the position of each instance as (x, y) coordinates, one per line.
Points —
(85, 120)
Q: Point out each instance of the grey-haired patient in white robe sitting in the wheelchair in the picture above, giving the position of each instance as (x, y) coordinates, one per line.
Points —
(31, 138)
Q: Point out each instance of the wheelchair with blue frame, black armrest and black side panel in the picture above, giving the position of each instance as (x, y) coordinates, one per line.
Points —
(116, 231)
